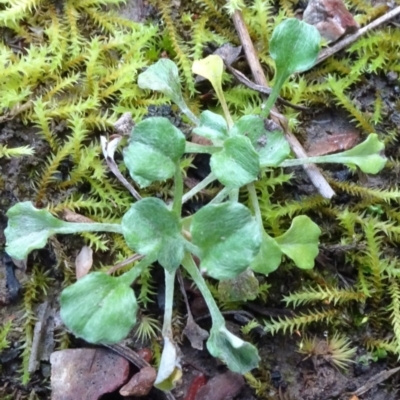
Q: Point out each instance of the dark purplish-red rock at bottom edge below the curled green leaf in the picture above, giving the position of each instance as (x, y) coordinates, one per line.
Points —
(222, 387)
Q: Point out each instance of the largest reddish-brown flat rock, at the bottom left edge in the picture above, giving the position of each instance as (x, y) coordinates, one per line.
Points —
(86, 374)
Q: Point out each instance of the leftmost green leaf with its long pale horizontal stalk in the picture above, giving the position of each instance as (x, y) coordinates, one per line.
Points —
(29, 228)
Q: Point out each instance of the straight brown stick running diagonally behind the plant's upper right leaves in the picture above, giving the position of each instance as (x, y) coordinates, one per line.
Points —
(311, 170)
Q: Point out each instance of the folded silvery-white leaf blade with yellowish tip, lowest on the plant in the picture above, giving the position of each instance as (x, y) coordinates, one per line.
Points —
(170, 371)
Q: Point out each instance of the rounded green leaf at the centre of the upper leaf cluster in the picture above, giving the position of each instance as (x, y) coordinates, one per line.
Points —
(237, 164)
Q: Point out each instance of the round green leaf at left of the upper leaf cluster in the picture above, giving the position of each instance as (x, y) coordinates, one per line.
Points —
(154, 150)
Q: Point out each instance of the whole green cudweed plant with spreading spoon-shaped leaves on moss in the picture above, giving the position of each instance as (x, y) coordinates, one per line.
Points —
(227, 237)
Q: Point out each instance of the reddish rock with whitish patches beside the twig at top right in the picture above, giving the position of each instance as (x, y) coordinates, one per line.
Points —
(331, 18)
